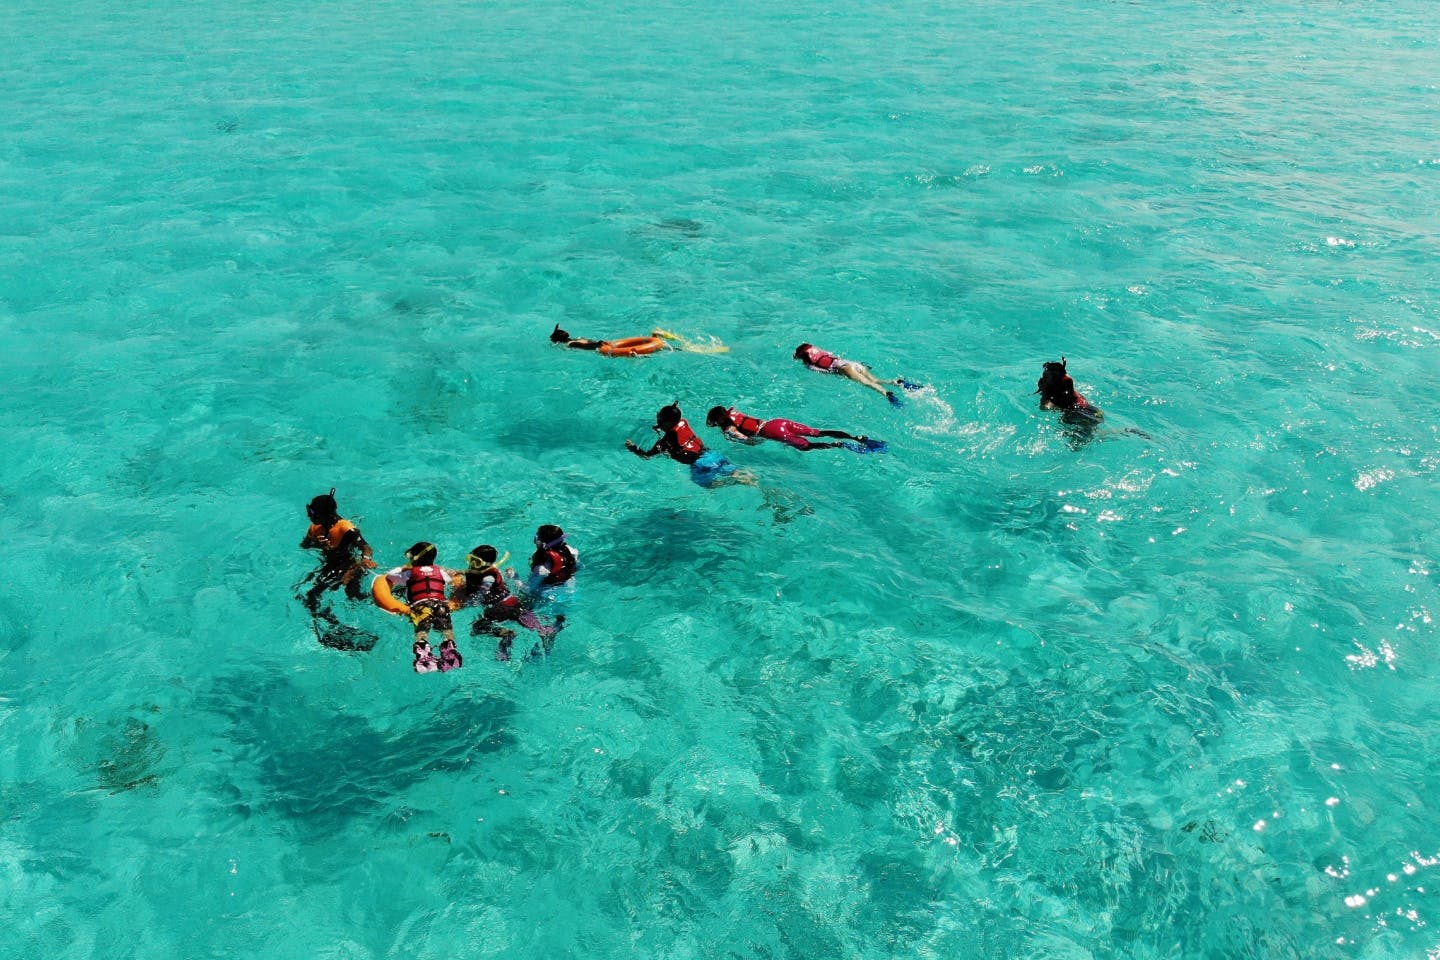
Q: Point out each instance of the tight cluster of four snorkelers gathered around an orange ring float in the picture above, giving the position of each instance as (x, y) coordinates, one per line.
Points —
(430, 594)
